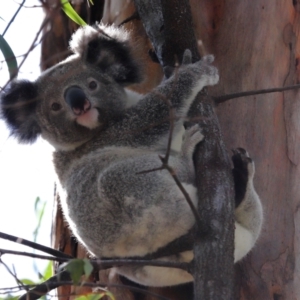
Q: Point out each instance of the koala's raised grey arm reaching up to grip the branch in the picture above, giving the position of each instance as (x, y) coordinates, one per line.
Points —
(149, 118)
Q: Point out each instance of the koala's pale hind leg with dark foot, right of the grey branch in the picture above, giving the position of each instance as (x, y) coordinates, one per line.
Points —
(248, 212)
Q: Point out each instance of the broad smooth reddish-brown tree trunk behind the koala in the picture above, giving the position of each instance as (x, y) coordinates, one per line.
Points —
(255, 45)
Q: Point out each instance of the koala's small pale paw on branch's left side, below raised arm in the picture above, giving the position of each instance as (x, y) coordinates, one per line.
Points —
(191, 138)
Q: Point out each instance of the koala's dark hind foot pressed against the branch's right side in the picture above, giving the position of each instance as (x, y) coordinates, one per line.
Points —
(243, 172)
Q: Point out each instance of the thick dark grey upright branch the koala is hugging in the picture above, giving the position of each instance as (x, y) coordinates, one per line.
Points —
(169, 27)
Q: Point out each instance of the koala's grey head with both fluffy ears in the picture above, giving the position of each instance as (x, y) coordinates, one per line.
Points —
(69, 103)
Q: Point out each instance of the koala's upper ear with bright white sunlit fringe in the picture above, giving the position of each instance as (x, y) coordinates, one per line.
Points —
(110, 49)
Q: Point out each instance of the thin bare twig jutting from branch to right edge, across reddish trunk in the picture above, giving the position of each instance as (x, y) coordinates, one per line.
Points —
(223, 98)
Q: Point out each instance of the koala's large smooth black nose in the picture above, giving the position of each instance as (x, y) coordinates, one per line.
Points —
(77, 100)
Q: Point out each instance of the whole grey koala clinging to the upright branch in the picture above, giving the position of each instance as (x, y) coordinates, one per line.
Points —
(105, 136)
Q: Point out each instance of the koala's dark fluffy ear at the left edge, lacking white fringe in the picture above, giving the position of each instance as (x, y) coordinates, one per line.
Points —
(18, 109)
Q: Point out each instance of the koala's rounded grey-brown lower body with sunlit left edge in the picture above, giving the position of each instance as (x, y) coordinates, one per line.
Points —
(116, 212)
